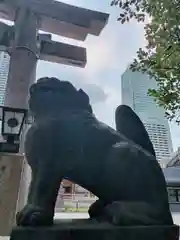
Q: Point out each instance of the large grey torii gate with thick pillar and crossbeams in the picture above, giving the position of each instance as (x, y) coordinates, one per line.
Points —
(26, 47)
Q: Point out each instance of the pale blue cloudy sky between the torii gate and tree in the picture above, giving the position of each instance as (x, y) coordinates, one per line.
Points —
(108, 56)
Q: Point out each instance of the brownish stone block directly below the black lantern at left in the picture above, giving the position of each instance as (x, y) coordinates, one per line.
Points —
(10, 177)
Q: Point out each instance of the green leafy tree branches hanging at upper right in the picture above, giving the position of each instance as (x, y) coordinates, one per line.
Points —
(161, 56)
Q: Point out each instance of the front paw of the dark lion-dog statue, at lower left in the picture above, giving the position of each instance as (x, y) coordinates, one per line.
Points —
(34, 216)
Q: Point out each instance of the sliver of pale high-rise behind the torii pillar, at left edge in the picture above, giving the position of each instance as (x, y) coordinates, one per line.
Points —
(4, 69)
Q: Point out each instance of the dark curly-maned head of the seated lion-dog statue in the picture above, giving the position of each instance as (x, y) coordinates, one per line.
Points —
(51, 95)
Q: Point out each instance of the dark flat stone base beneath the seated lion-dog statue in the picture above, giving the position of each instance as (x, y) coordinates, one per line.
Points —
(90, 230)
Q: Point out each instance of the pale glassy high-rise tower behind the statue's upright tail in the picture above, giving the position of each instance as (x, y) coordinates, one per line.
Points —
(134, 89)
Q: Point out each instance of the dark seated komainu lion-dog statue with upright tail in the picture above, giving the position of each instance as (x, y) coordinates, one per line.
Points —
(119, 167)
